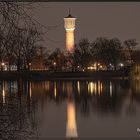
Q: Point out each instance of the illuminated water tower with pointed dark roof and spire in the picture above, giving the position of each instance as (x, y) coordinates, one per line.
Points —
(69, 23)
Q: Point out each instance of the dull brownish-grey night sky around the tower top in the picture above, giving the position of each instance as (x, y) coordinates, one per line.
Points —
(106, 19)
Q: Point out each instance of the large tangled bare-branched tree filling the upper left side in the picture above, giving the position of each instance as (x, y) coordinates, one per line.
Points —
(19, 34)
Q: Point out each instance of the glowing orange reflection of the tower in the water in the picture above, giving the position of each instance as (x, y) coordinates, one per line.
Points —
(71, 128)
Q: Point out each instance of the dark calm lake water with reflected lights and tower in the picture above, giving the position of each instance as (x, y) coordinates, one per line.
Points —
(70, 109)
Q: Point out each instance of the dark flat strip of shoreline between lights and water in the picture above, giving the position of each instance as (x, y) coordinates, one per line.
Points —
(49, 75)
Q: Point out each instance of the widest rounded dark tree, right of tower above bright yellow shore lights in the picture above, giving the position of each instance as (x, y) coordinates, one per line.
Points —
(107, 51)
